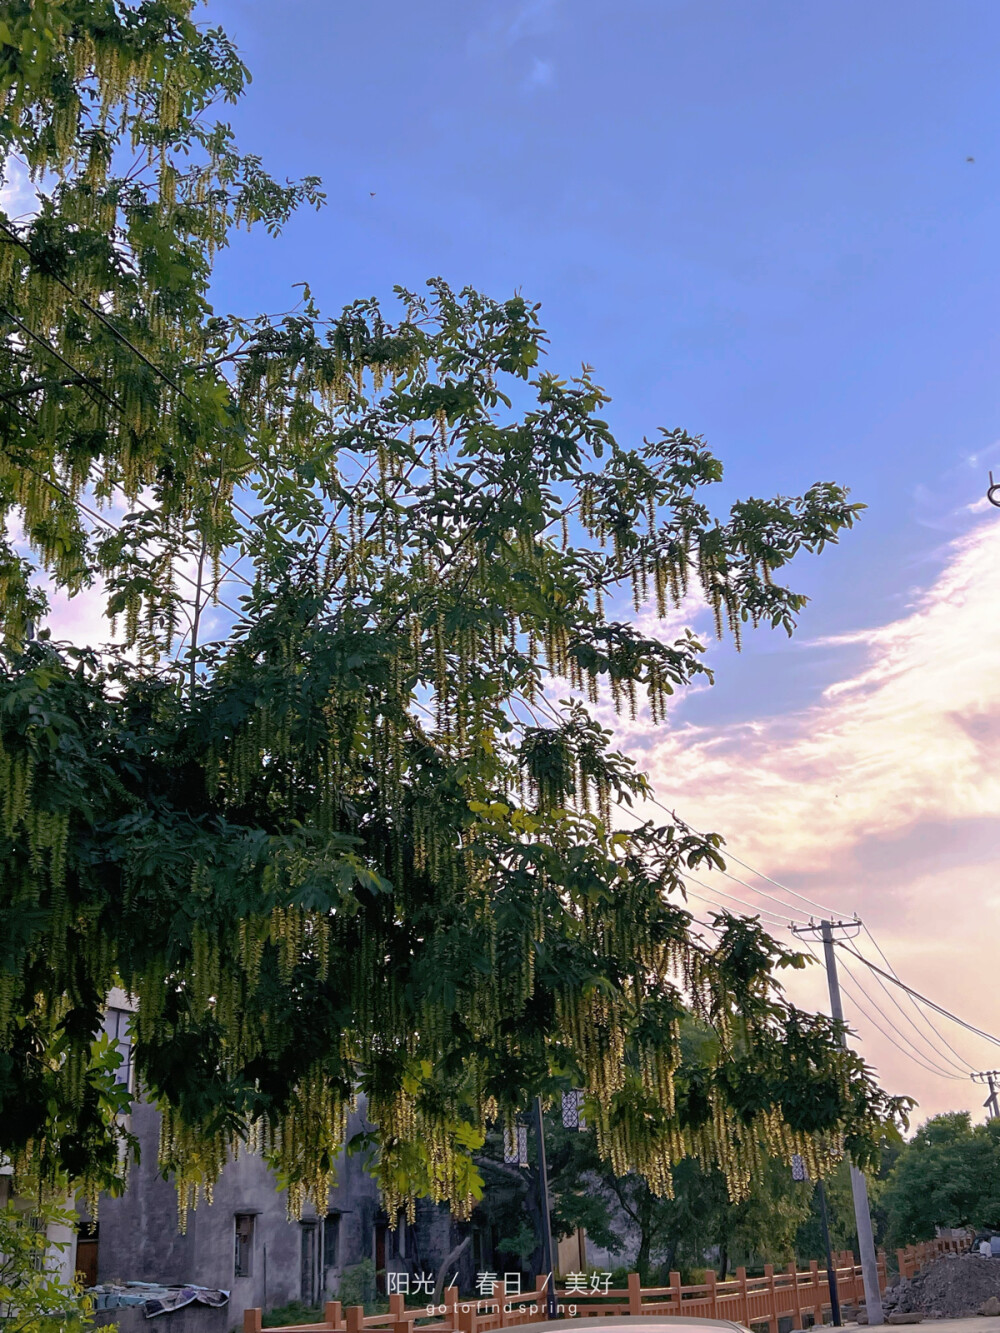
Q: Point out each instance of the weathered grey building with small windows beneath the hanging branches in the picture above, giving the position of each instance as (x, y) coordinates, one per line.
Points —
(243, 1240)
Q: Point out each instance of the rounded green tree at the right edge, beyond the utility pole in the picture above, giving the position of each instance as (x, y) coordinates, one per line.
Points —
(949, 1175)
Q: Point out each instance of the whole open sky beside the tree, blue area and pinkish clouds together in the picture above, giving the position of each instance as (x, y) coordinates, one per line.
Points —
(773, 225)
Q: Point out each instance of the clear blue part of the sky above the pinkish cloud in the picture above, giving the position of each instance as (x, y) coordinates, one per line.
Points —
(754, 221)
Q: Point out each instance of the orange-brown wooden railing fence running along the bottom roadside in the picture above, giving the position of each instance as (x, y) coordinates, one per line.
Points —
(786, 1295)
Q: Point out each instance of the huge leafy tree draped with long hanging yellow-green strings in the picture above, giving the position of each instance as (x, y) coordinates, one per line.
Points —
(353, 843)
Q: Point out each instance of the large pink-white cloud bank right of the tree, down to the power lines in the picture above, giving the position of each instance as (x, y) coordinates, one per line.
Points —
(882, 798)
